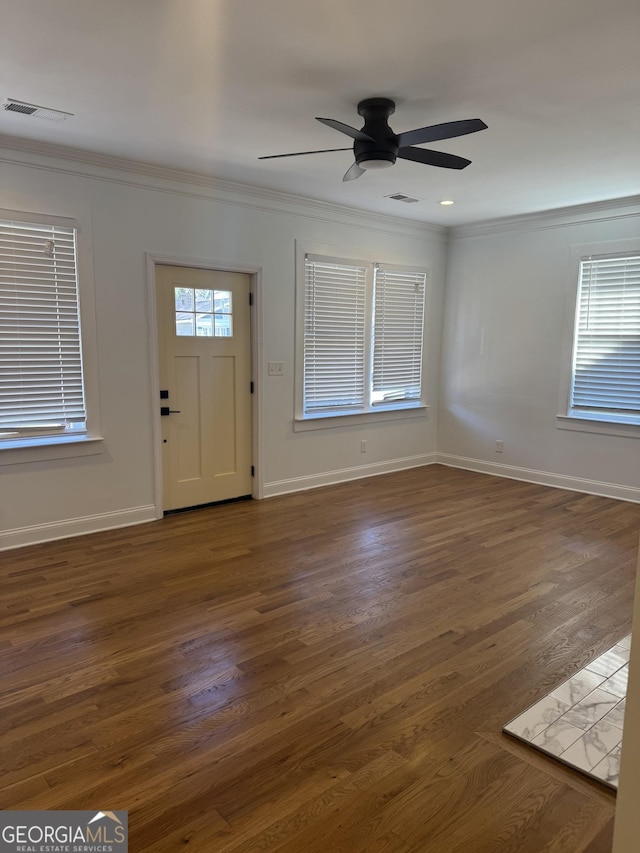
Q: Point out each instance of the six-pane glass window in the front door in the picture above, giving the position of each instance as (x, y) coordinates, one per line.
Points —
(203, 313)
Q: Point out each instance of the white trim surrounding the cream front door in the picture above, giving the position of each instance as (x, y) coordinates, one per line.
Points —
(151, 259)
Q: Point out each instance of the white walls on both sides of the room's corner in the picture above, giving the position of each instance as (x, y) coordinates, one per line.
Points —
(503, 339)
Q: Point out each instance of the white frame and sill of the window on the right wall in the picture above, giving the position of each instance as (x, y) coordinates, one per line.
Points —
(584, 420)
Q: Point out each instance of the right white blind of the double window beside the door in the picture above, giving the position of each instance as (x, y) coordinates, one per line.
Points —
(398, 335)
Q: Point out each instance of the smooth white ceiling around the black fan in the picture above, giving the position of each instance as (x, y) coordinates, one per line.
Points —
(210, 85)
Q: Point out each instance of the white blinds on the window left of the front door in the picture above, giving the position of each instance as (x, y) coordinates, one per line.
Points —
(41, 386)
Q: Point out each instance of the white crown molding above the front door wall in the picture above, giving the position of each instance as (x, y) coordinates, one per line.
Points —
(79, 162)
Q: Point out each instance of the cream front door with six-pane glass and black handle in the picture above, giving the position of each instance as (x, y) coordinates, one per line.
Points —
(204, 344)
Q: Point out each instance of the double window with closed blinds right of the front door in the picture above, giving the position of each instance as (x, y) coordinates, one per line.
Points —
(363, 337)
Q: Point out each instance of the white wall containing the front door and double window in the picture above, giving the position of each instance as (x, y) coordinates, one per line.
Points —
(126, 214)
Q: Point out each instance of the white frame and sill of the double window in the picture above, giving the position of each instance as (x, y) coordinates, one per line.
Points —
(392, 411)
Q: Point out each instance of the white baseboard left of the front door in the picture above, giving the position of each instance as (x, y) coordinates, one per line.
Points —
(37, 533)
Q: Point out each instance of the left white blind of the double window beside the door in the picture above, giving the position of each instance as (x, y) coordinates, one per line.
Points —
(334, 336)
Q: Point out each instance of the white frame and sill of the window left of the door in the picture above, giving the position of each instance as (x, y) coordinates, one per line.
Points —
(36, 448)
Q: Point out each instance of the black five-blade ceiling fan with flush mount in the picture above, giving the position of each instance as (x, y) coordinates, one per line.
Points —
(376, 146)
